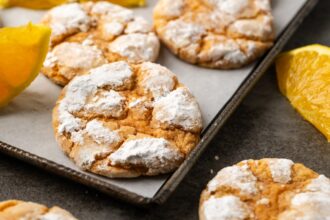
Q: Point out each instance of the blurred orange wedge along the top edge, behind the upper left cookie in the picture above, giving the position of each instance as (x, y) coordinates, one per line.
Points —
(45, 4)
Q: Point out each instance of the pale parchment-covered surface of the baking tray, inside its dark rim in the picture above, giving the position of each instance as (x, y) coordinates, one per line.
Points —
(26, 122)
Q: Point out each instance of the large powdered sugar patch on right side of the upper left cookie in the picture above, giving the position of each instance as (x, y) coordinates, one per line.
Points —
(136, 47)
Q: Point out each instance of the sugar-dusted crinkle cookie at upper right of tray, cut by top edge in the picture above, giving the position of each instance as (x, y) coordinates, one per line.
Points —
(220, 34)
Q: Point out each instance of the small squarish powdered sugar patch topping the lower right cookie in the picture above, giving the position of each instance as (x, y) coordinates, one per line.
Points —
(280, 170)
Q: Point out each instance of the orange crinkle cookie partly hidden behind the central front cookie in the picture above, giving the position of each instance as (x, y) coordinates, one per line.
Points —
(90, 34)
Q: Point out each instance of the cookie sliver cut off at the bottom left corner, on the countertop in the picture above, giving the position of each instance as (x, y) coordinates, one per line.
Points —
(19, 210)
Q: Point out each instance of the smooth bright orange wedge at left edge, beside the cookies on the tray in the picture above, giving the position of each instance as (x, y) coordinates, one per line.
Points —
(22, 53)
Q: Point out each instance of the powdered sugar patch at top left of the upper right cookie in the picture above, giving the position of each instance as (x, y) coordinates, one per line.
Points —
(170, 8)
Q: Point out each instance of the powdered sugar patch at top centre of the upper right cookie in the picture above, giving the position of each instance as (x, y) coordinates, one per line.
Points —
(229, 6)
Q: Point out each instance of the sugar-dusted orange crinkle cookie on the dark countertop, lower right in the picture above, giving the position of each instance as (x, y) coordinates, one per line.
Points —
(266, 189)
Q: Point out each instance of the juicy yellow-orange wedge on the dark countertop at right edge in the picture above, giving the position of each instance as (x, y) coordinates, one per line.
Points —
(304, 78)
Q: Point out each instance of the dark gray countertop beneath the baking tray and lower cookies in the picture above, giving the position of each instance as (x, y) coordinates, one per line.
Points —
(264, 125)
